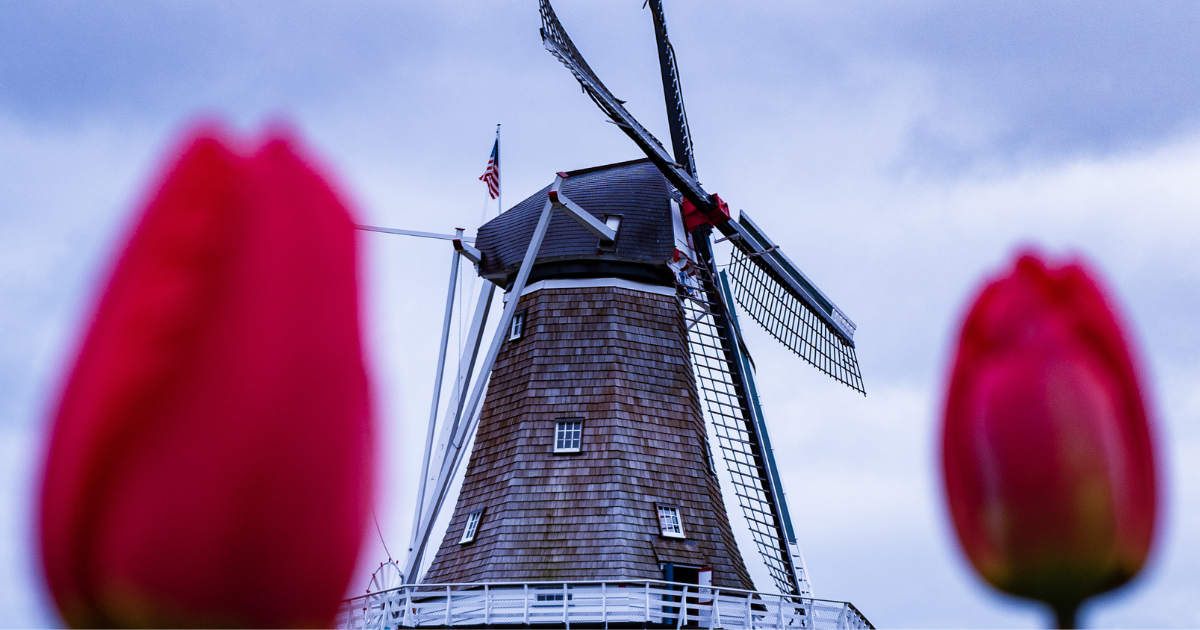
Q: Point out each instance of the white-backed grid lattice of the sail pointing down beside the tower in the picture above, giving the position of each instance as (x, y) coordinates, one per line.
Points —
(728, 409)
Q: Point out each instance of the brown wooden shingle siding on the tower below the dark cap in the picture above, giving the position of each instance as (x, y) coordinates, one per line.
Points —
(619, 361)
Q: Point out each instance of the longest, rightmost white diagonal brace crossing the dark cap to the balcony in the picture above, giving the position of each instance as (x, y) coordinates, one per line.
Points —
(455, 448)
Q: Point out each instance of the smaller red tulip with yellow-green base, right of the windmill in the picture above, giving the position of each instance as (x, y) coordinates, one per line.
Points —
(1047, 451)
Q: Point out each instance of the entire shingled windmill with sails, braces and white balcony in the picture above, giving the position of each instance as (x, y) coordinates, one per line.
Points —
(617, 356)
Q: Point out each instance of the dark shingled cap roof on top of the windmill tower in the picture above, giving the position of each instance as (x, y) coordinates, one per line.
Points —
(635, 191)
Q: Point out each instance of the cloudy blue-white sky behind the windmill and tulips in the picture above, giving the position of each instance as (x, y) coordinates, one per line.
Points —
(901, 153)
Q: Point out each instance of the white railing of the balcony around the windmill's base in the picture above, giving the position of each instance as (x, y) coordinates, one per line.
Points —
(562, 604)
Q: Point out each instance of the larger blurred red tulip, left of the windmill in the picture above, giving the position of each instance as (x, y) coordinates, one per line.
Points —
(211, 459)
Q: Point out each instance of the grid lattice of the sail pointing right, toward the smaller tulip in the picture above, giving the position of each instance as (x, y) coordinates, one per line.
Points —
(793, 322)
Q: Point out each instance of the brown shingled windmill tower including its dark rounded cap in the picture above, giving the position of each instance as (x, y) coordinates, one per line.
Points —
(592, 429)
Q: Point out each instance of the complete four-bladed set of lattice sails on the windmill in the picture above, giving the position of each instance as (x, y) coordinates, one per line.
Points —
(712, 332)
